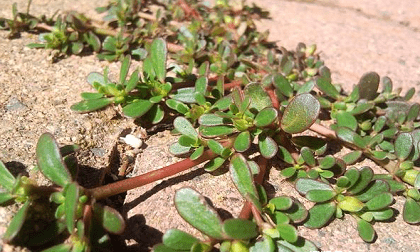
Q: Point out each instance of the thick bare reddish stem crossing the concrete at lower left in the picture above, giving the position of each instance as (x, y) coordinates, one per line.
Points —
(141, 180)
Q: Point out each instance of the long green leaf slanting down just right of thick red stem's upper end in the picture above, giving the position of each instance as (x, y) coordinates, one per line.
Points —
(241, 176)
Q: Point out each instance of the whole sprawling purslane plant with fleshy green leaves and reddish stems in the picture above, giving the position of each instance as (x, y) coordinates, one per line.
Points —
(233, 95)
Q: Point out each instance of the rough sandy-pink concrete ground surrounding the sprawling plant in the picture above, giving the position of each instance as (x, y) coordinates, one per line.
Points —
(354, 37)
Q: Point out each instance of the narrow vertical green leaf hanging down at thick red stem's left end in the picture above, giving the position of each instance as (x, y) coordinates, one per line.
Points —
(70, 203)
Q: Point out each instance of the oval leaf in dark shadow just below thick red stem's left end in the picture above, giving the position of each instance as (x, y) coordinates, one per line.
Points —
(111, 219)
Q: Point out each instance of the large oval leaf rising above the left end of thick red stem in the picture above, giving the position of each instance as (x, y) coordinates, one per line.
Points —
(50, 162)
